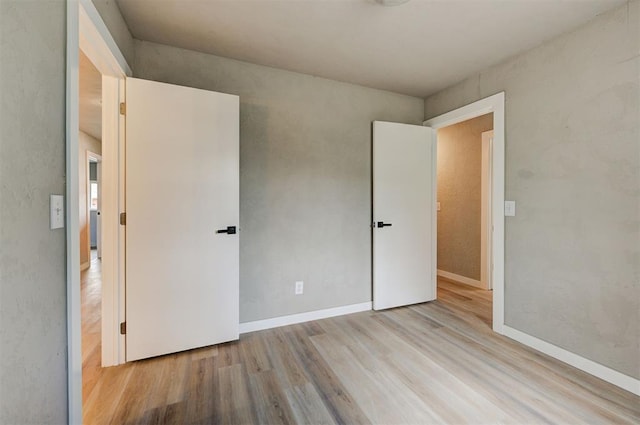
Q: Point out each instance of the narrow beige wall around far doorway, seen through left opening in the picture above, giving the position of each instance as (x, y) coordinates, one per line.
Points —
(87, 144)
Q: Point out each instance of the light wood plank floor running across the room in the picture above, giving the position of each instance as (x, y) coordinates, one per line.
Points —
(437, 362)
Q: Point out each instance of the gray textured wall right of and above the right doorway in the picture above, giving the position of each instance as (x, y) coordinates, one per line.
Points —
(573, 165)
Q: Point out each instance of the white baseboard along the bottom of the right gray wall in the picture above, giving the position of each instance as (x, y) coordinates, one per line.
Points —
(596, 369)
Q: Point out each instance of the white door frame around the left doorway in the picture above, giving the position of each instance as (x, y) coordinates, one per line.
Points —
(87, 32)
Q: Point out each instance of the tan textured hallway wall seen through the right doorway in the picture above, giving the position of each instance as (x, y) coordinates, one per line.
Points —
(459, 190)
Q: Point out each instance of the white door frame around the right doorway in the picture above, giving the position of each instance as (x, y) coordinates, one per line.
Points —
(492, 104)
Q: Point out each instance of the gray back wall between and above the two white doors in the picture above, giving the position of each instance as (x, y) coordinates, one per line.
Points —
(305, 173)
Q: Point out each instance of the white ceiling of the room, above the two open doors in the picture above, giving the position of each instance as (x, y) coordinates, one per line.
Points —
(417, 48)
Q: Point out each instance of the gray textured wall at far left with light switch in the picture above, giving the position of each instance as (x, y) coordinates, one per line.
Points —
(33, 379)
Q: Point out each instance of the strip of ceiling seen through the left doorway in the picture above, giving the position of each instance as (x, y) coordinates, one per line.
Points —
(90, 98)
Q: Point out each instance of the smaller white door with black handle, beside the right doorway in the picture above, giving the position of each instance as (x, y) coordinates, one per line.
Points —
(404, 228)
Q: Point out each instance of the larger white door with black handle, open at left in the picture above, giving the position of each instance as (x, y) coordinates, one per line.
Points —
(182, 192)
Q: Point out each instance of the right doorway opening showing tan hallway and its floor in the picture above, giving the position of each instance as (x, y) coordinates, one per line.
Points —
(463, 214)
